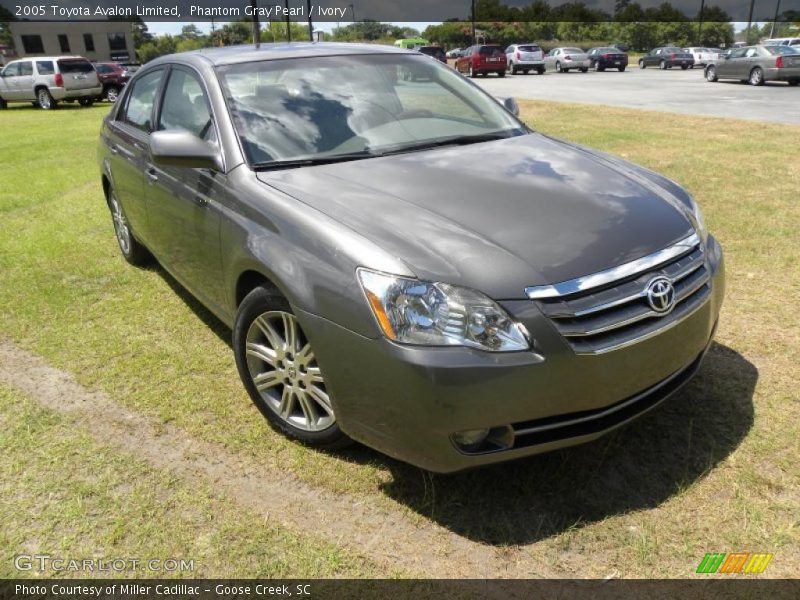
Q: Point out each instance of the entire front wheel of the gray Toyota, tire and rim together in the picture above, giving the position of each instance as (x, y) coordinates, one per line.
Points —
(280, 372)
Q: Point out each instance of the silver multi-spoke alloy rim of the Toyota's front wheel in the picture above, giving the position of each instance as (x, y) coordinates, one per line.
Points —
(285, 373)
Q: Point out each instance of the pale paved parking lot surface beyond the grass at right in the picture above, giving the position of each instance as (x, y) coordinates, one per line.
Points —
(670, 91)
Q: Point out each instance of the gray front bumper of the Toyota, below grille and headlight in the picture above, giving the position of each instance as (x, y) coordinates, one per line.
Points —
(408, 401)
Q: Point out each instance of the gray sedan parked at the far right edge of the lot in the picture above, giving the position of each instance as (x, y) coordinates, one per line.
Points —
(757, 64)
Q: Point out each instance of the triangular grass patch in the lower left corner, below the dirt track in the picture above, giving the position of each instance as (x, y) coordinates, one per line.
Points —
(68, 497)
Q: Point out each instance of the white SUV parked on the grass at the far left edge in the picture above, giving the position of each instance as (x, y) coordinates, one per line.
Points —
(45, 81)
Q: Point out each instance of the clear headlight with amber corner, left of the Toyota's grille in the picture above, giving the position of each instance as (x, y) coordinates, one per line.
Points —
(411, 311)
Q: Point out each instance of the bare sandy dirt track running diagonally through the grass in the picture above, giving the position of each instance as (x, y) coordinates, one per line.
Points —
(386, 536)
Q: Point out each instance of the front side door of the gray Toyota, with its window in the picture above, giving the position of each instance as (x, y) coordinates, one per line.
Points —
(184, 204)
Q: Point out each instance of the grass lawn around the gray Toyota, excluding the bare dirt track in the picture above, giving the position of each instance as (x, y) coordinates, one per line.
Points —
(714, 469)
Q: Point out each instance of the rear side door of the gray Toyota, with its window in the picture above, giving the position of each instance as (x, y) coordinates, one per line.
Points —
(128, 136)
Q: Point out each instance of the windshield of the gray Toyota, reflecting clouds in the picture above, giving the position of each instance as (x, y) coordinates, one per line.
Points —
(345, 107)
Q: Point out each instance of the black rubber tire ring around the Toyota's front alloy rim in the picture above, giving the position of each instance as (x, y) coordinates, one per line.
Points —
(256, 303)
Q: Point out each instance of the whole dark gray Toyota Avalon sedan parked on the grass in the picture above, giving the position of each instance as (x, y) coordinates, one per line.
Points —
(402, 261)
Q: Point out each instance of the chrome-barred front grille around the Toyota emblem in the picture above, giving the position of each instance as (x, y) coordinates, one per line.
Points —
(614, 311)
